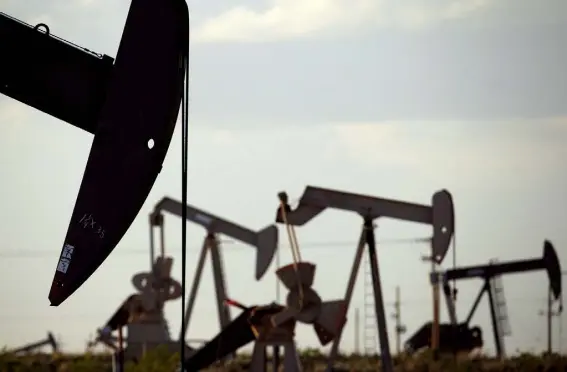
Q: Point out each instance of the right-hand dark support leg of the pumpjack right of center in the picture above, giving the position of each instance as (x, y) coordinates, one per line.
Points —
(385, 356)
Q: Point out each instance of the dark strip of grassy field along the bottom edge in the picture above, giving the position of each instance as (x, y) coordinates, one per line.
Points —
(160, 361)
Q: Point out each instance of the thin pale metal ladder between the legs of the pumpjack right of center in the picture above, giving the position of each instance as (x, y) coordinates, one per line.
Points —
(370, 335)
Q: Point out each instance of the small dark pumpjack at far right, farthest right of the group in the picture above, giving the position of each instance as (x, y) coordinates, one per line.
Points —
(461, 337)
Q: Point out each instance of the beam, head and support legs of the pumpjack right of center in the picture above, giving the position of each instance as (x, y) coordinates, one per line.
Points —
(315, 200)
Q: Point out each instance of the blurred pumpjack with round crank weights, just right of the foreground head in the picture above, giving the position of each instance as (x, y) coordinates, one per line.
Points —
(141, 314)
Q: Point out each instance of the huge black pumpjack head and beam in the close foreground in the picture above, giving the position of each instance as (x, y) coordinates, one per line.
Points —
(130, 104)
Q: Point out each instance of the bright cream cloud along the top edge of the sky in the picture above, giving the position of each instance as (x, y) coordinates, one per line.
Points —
(286, 19)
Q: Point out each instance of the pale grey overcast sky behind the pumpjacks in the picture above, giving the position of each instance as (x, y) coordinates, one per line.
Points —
(394, 99)
